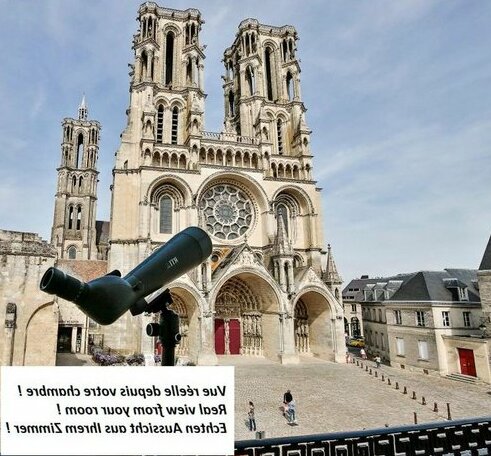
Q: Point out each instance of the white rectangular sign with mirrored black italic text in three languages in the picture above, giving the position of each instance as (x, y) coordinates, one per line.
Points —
(76, 410)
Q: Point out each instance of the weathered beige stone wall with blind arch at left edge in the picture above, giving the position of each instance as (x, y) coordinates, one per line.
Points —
(29, 317)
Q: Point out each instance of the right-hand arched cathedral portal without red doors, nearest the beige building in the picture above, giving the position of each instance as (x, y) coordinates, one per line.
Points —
(314, 326)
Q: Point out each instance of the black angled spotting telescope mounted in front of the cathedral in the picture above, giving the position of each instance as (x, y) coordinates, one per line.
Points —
(107, 298)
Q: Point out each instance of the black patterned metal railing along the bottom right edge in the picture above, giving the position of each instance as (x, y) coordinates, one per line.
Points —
(470, 437)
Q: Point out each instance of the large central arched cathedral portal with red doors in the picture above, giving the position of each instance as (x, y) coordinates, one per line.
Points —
(246, 317)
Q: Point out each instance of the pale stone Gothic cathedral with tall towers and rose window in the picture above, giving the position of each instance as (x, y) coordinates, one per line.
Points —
(270, 288)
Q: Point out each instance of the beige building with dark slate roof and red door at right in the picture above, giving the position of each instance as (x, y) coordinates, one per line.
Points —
(428, 321)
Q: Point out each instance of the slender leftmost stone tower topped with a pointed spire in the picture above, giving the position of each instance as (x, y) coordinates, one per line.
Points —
(74, 228)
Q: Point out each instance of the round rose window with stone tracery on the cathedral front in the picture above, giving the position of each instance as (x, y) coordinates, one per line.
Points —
(227, 210)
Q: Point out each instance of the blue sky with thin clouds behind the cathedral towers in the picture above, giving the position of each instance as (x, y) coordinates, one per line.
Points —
(398, 98)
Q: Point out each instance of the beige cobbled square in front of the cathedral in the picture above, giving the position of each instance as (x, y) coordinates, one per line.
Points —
(333, 397)
